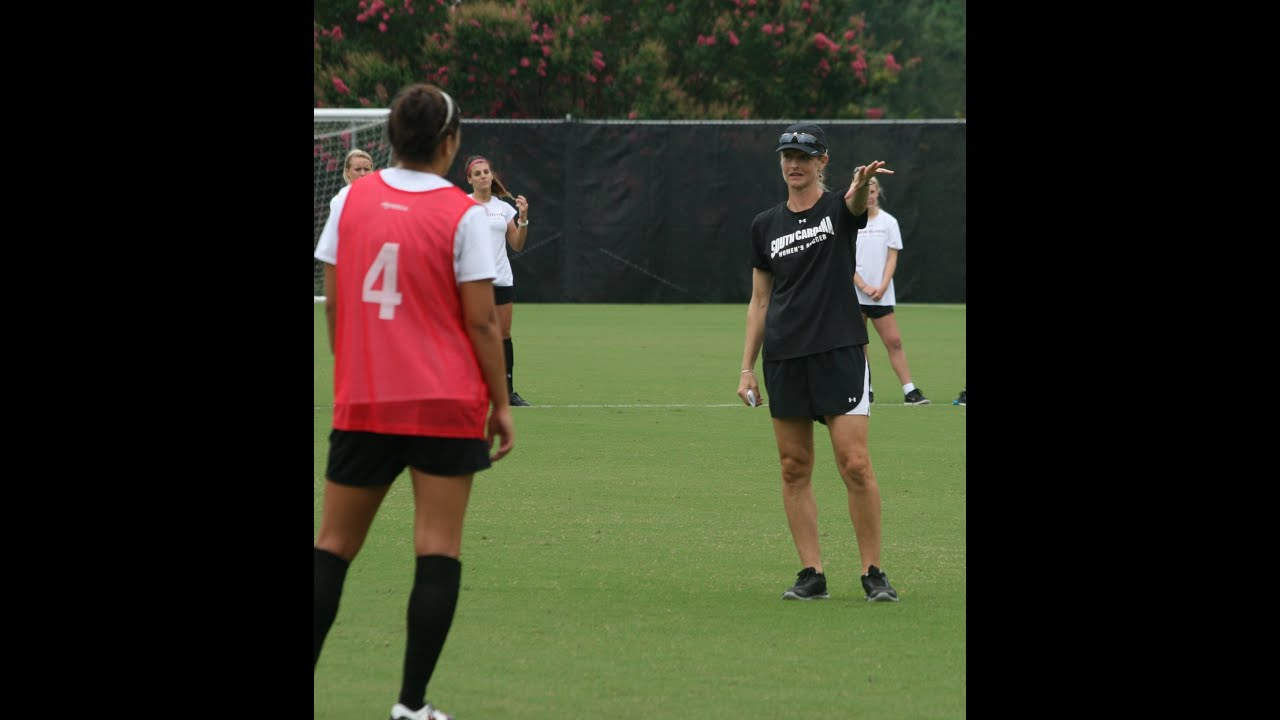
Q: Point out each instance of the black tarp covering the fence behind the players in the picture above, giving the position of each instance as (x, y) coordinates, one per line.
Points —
(661, 212)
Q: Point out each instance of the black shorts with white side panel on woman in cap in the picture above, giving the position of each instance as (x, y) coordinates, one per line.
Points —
(815, 386)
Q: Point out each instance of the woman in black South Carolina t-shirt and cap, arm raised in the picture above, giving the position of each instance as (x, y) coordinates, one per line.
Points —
(804, 313)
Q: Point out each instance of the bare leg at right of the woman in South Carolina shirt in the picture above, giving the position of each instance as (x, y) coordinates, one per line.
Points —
(853, 458)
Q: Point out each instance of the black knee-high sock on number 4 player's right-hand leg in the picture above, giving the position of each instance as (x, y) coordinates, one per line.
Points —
(431, 613)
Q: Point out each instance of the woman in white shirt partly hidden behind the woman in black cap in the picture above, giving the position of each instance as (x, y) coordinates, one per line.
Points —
(879, 245)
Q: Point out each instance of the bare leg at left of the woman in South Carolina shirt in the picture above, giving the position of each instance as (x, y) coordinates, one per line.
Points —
(796, 453)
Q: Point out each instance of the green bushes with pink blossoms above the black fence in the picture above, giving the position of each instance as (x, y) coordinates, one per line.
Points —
(647, 60)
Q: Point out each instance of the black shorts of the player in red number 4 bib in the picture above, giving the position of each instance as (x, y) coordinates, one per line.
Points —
(362, 459)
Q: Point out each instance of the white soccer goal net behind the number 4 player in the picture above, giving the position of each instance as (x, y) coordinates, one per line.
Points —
(337, 133)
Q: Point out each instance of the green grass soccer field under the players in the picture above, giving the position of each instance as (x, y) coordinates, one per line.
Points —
(628, 559)
